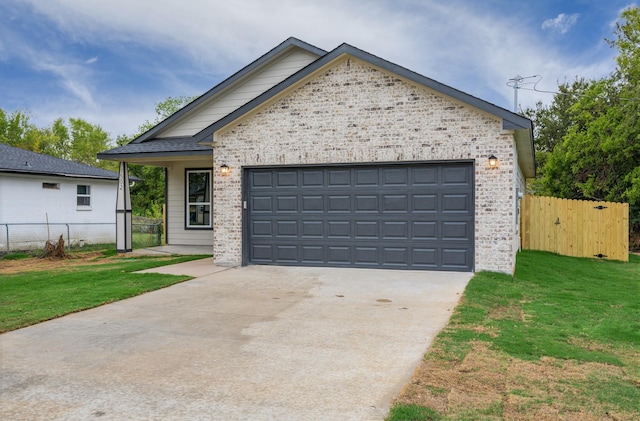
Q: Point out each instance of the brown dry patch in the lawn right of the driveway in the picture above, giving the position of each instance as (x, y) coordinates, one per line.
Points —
(489, 384)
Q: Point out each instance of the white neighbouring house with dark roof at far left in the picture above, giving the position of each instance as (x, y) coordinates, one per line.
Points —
(76, 200)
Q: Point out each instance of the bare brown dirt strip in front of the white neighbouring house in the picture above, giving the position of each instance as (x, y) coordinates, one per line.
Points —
(47, 263)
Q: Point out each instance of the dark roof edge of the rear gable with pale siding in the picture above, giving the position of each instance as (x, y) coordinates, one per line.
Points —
(285, 45)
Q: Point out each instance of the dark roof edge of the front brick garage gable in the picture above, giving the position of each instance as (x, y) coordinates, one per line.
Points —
(511, 121)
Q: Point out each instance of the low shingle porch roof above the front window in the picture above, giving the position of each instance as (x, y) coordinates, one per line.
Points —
(158, 148)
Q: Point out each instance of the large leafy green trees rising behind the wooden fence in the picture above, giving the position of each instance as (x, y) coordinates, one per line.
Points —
(592, 131)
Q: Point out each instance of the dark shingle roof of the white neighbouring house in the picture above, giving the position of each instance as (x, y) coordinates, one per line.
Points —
(16, 160)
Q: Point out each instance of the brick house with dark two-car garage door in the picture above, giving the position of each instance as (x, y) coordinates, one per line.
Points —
(341, 158)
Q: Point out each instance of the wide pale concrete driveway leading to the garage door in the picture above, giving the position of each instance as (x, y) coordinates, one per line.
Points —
(251, 343)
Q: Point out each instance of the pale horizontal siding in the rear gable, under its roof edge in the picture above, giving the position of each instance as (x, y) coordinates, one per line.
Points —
(229, 101)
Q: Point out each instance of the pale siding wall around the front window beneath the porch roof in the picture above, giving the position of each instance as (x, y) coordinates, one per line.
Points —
(177, 234)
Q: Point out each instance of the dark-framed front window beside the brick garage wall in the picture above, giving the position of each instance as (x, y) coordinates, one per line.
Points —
(198, 199)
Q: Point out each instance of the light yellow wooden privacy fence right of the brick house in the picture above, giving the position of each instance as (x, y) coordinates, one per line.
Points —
(579, 228)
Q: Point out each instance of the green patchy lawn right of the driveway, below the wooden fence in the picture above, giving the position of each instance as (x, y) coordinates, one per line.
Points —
(558, 340)
